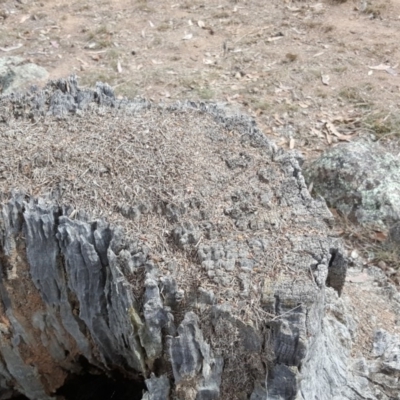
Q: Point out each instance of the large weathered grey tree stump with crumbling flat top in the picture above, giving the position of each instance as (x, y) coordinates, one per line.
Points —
(222, 283)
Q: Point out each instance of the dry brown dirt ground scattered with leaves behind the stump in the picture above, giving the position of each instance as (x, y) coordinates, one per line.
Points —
(312, 73)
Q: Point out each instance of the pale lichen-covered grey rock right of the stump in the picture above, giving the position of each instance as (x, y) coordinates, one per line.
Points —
(360, 179)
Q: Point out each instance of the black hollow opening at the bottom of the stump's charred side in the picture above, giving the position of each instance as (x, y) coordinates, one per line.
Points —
(94, 385)
